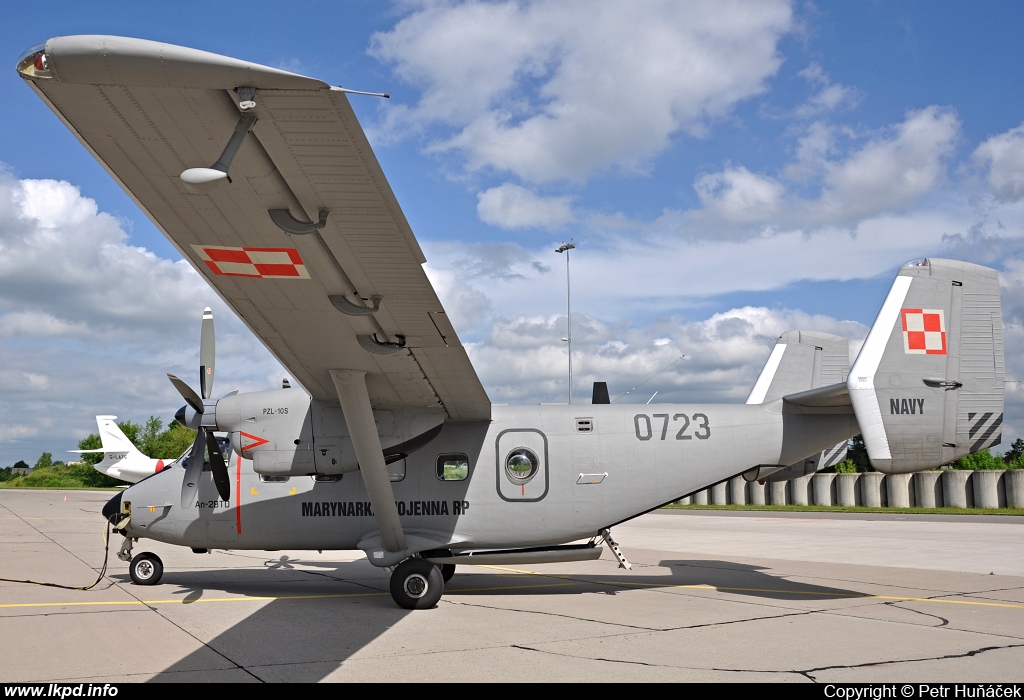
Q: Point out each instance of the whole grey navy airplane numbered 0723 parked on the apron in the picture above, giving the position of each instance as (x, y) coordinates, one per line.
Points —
(395, 449)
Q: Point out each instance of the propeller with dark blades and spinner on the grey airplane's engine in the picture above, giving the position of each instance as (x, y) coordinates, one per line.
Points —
(205, 422)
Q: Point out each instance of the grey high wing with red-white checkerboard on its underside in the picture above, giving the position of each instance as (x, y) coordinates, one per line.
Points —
(150, 111)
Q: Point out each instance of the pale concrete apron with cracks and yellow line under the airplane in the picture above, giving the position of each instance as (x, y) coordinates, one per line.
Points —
(712, 597)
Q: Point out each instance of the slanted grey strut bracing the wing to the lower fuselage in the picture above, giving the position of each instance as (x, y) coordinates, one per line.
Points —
(352, 388)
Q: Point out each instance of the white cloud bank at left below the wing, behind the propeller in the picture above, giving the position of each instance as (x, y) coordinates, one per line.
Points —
(91, 325)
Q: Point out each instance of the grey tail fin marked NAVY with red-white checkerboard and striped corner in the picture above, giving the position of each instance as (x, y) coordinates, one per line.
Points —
(928, 385)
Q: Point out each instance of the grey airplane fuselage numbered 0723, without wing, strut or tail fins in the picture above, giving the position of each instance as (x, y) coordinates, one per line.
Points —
(595, 466)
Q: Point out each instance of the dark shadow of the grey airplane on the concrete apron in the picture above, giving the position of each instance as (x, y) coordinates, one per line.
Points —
(325, 612)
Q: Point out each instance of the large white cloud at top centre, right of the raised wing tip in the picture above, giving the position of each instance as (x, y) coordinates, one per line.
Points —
(559, 90)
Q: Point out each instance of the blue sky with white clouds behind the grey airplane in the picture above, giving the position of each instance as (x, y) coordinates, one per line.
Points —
(729, 170)
